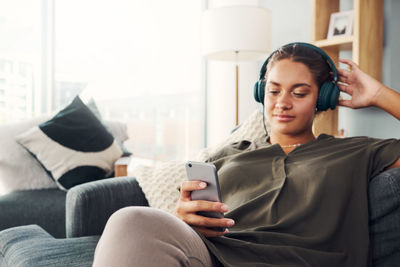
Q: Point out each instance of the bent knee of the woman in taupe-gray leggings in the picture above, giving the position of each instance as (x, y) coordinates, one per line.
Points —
(143, 236)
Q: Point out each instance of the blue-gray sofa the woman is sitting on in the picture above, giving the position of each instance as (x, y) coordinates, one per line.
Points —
(90, 205)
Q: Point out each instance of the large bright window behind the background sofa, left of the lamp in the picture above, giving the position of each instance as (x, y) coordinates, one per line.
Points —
(139, 60)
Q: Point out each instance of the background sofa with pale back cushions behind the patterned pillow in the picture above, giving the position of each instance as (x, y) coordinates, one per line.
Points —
(28, 193)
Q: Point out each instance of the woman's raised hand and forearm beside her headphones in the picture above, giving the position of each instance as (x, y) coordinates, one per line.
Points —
(366, 91)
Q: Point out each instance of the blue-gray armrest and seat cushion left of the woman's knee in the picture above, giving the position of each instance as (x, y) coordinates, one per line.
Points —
(88, 207)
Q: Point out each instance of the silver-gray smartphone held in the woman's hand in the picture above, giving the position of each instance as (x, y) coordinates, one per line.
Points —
(206, 172)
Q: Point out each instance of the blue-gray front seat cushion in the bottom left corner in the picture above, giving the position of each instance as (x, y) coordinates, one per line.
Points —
(31, 246)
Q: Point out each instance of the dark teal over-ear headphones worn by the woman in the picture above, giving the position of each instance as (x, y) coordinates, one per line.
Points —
(328, 93)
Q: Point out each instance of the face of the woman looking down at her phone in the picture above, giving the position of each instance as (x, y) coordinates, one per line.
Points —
(290, 98)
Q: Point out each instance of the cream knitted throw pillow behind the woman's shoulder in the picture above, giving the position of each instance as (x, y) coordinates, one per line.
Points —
(160, 182)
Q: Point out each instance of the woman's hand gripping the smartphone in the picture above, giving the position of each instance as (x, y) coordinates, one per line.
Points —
(186, 210)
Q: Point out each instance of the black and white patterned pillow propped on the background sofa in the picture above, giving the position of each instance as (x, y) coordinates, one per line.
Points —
(73, 146)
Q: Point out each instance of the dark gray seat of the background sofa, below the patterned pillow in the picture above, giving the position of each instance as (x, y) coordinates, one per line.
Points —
(42, 207)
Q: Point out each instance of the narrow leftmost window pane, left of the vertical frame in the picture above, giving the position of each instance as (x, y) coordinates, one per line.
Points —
(20, 59)
